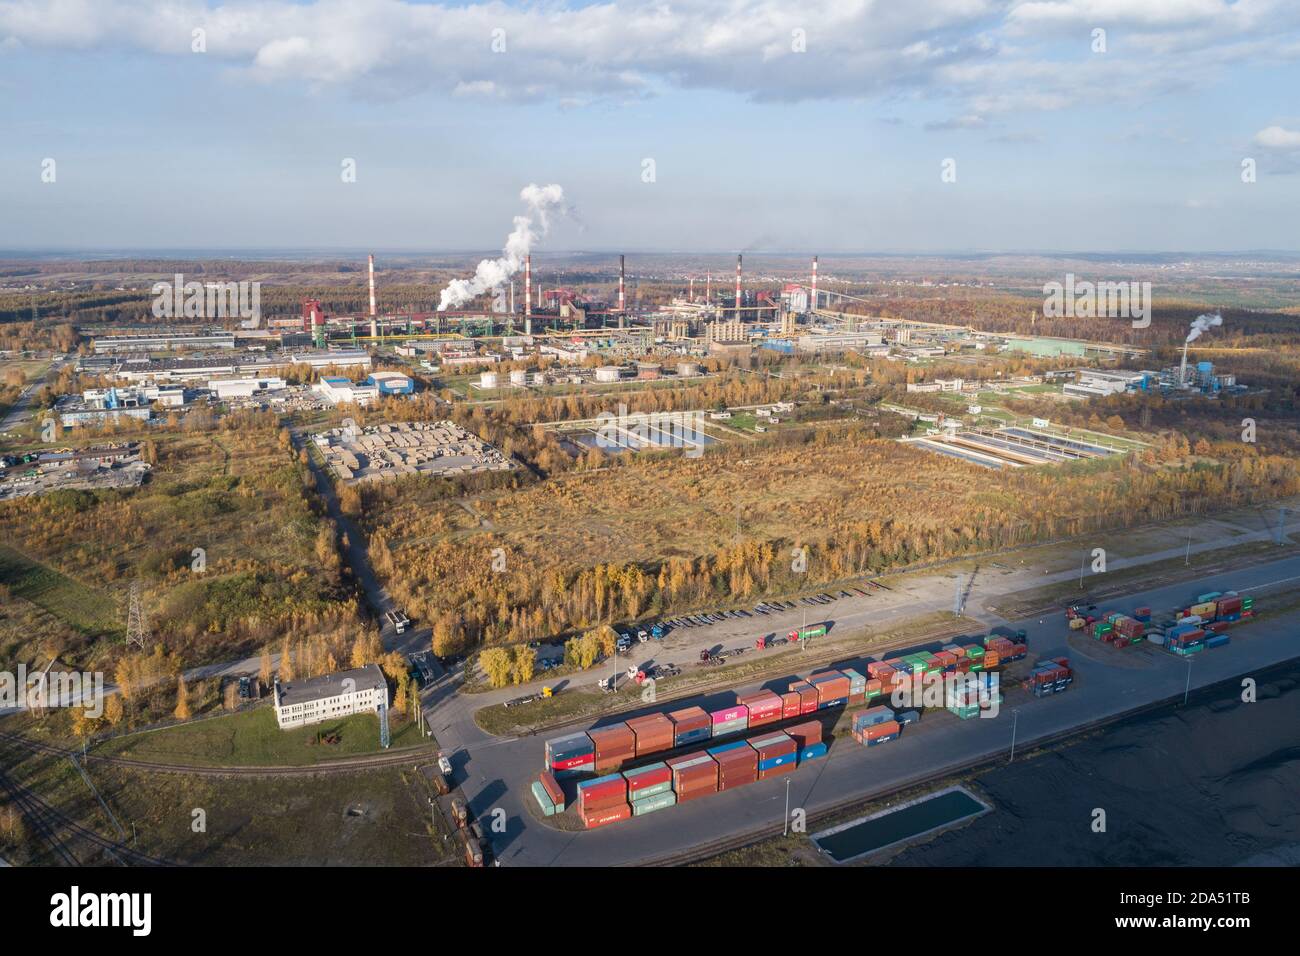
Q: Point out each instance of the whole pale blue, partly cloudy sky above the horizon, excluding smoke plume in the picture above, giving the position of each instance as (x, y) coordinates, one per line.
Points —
(673, 126)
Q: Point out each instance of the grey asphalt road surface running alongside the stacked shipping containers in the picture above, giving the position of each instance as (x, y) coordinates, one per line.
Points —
(496, 773)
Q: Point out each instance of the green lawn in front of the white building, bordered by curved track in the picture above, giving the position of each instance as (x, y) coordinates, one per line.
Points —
(253, 739)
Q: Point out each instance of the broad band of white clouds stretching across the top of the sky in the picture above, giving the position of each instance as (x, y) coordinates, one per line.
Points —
(982, 58)
